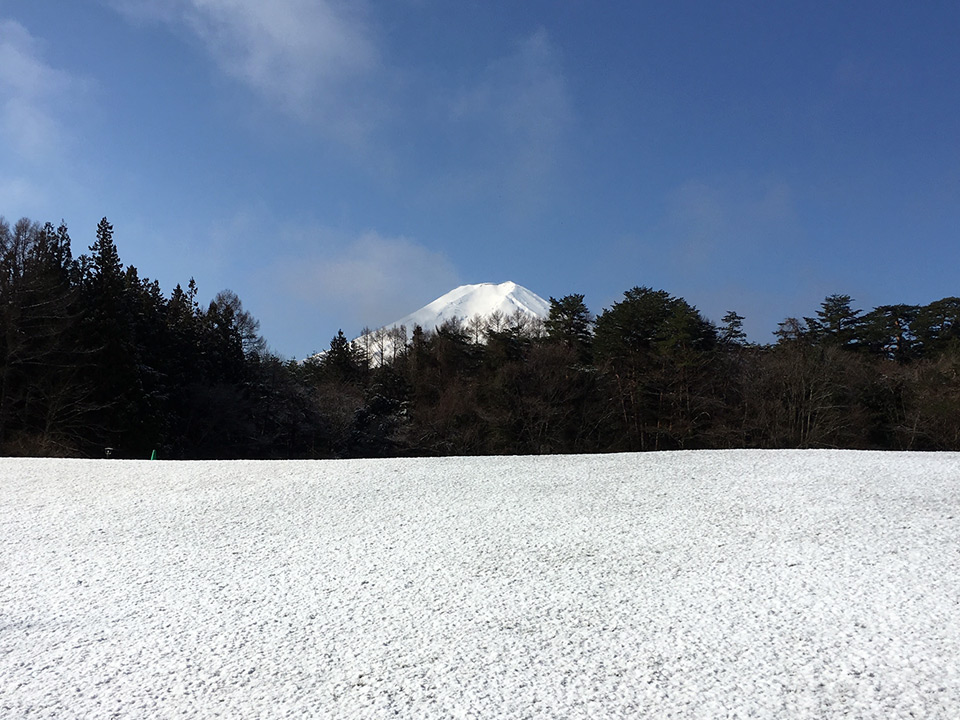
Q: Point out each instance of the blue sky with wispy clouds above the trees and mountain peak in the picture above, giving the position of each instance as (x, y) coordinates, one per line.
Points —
(340, 164)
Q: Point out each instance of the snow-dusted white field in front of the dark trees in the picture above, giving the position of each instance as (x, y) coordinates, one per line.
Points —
(687, 585)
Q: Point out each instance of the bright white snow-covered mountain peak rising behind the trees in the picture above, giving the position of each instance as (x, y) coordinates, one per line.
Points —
(483, 299)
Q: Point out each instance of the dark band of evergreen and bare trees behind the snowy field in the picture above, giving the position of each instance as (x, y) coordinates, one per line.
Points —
(96, 360)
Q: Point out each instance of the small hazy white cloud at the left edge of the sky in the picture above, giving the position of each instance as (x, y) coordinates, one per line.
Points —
(30, 91)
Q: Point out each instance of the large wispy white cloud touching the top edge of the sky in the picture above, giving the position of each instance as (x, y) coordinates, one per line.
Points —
(307, 56)
